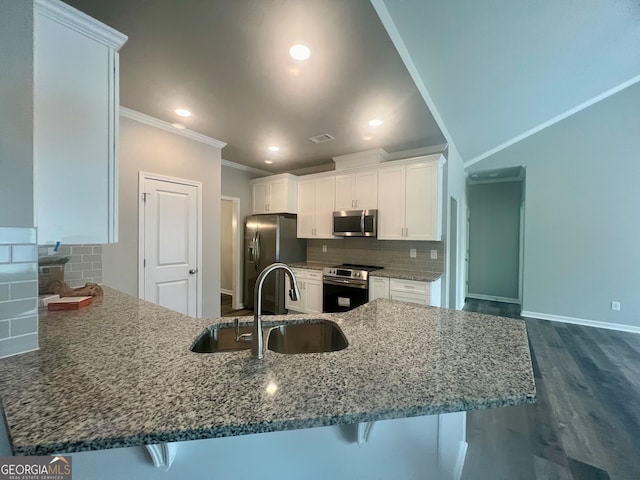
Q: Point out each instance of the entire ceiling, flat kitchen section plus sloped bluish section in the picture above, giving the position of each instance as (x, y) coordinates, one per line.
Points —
(494, 71)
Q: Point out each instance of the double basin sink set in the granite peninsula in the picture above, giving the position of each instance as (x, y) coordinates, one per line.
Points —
(314, 336)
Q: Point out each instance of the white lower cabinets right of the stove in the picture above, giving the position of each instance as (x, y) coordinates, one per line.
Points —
(410, 291)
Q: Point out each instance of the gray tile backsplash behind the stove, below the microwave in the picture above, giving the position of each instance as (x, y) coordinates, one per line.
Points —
(393, 254)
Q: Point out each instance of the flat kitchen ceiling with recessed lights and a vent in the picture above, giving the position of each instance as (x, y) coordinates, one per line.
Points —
(227, 61)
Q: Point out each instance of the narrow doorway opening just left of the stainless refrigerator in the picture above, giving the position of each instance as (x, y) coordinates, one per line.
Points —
(230, 248)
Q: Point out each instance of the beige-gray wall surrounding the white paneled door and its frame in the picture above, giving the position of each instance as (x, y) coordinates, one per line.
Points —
(149, 149)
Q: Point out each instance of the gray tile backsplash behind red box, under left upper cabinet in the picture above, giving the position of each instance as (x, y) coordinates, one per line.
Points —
(84, 265)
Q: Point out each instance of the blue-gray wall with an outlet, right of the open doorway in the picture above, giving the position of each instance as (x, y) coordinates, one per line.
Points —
(582, 227)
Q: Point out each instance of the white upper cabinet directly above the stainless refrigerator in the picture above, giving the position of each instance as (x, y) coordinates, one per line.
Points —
(275, 194)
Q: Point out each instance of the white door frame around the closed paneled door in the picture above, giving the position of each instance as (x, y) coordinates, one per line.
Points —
(142, 177)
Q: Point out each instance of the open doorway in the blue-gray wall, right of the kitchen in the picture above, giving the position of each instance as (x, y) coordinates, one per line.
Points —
(495, 235)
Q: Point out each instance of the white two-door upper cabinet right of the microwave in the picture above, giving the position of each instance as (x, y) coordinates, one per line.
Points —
(408, 199)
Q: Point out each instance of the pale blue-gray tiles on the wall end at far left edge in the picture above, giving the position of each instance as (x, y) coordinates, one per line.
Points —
(18, 290)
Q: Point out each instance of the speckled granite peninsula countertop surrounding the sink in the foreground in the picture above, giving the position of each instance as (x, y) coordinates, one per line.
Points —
(120, 373)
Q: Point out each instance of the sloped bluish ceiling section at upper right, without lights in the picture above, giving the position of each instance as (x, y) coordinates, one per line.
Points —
(498, 70)
